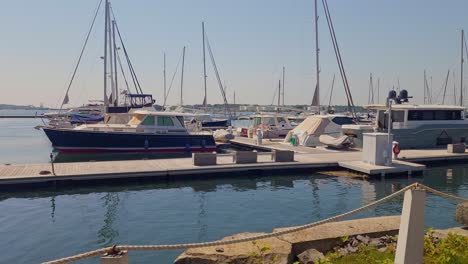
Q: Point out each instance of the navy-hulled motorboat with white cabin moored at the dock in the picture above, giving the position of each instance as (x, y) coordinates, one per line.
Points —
(146, 132)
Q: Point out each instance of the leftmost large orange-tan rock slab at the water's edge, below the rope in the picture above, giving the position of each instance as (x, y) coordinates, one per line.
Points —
(276, 251)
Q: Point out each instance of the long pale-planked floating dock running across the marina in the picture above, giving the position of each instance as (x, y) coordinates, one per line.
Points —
(173, 169)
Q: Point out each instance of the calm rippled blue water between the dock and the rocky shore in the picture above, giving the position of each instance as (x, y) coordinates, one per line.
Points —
(38, 226)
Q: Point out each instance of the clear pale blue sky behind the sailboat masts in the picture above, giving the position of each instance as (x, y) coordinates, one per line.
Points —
(251, 41)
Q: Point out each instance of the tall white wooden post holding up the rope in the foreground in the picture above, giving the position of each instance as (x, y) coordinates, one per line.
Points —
(410, 245)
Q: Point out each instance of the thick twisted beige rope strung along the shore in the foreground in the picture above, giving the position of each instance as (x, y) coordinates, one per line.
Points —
(259, 237)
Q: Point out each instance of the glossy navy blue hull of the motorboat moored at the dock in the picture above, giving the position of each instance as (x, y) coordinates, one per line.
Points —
(79, 141)
